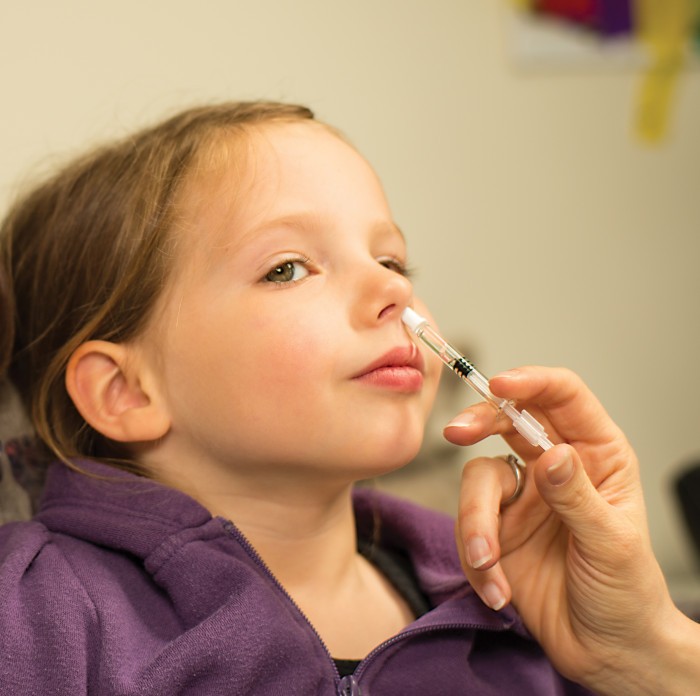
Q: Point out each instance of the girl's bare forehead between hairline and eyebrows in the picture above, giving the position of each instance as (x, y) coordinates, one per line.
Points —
(271, 168)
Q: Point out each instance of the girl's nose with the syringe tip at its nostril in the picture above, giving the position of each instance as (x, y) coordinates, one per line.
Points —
(384, 294)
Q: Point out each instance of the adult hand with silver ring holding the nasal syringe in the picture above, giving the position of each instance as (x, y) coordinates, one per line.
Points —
(573, 553)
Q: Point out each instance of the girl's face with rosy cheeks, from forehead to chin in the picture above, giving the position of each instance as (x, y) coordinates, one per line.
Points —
(280, 344)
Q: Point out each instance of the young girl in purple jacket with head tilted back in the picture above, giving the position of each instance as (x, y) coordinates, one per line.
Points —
(204, 323)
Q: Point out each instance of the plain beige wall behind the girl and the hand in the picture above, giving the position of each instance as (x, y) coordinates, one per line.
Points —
(542, 230)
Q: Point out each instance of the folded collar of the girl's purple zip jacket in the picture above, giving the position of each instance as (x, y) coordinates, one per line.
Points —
(115, 509)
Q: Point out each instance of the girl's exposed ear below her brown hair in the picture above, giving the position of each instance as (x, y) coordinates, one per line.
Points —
(115, 393)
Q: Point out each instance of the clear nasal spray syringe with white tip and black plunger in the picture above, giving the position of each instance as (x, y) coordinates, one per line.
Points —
(524, 423)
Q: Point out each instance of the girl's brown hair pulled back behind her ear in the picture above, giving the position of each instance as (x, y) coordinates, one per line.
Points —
(87, 253)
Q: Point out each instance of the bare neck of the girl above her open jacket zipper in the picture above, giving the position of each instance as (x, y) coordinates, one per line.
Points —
(305, 533)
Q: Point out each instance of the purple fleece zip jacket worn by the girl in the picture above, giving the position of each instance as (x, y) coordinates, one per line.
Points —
(123, 587)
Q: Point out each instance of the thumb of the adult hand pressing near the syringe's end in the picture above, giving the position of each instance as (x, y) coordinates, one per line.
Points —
(564, 486)
